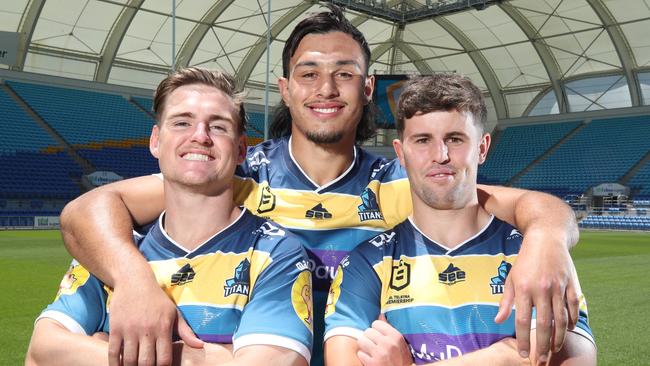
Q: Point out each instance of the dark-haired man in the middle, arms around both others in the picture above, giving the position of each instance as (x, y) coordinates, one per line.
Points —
(317, 182)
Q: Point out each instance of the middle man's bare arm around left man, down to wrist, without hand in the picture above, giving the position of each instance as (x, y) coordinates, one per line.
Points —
(97, 227)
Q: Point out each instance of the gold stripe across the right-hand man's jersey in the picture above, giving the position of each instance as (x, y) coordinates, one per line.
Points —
(416, 282)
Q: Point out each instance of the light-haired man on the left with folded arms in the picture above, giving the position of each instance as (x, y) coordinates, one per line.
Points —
(202, 242)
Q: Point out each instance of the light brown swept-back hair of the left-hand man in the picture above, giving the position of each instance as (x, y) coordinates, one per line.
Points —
(196, 75)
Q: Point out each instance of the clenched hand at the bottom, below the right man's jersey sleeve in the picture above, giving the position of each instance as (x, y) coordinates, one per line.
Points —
(383, 345)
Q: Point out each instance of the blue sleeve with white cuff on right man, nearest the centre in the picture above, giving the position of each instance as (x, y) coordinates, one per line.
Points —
(355, 295)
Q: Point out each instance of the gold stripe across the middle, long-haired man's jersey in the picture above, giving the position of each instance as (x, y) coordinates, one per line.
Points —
(289, 207)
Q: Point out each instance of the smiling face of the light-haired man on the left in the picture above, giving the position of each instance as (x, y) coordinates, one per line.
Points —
(197, 140)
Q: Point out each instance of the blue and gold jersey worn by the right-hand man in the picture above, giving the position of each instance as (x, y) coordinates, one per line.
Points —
(443, 301)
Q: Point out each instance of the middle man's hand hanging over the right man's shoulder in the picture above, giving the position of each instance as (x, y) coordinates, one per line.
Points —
(542, 277)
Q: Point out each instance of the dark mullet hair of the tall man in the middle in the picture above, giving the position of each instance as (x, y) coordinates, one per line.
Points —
(325, 22)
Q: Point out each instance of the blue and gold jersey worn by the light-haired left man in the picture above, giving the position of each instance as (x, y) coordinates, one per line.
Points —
(247, 285)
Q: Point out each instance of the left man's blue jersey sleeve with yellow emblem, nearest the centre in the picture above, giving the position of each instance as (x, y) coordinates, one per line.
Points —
(279, 311)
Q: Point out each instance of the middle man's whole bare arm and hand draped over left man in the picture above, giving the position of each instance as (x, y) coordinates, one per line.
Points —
(97, 230)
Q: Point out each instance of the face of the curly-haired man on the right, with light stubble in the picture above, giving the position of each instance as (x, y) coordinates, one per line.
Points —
(441, 151)
